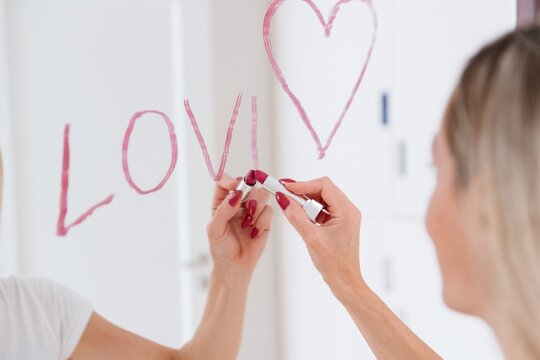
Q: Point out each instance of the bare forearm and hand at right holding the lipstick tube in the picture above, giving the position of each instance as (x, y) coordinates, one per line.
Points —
(334, 249)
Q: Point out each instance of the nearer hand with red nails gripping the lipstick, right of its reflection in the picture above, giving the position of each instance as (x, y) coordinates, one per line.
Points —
(334, 244)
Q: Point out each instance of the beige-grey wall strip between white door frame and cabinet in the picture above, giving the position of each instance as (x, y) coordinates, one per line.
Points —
(240, 66)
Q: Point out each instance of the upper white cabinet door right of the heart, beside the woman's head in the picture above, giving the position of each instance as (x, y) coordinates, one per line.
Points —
(434, 40)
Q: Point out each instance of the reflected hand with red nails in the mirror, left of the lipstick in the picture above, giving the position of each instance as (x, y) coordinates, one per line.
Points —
(238, 236)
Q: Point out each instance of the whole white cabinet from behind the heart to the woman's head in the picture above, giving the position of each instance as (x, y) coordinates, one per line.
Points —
(384, 169)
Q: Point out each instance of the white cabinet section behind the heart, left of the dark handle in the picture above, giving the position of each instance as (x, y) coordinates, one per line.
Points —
(322, 71)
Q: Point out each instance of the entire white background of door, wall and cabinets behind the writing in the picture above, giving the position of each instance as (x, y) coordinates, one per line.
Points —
(94, 63)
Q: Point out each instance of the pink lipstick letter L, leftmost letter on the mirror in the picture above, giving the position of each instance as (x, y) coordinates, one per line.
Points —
(61, 228)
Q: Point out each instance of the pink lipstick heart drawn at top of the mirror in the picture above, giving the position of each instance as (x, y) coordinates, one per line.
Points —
(274, 6)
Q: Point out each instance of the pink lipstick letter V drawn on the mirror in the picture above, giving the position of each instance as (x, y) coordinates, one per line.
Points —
(217, 177)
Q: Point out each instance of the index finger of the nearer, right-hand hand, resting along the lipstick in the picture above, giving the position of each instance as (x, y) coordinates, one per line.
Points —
(324, 189)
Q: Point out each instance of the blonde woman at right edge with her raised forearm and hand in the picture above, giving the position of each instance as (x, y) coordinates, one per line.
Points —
(484, 215)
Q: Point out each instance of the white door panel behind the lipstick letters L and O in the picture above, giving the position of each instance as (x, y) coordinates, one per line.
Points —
(93, 64)
